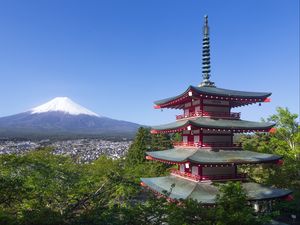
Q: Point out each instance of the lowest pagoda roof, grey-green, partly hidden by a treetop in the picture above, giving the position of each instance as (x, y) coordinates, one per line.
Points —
(206, 192)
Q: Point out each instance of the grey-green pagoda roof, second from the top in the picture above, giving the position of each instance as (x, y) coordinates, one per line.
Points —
(204, 122)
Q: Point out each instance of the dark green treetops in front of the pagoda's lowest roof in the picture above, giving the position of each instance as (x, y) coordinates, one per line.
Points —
(232, 208)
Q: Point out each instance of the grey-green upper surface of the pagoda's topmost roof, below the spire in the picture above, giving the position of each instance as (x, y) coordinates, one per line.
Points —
(219, 92)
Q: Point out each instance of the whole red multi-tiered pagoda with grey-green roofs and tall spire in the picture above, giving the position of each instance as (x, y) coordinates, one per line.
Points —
(207, 152)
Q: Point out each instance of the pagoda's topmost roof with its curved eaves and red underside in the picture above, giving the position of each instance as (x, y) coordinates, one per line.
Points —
(238, 98)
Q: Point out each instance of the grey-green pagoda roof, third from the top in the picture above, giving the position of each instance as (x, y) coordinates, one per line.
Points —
(207, 157)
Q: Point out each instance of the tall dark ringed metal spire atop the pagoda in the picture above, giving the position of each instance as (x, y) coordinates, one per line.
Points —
(206, 57)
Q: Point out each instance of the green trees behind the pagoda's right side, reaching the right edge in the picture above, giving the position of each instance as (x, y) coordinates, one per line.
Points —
(285, 142)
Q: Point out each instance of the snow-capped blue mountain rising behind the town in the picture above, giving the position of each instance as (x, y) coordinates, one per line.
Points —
(63, 117)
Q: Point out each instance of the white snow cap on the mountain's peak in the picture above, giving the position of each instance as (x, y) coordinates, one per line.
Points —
(63, 104)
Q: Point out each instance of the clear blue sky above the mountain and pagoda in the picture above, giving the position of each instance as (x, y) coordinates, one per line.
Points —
(116, 57)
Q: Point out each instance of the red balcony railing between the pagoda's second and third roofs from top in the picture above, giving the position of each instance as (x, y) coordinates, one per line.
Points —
(207, 144)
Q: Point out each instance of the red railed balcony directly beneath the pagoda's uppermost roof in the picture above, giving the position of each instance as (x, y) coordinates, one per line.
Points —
(231, 115)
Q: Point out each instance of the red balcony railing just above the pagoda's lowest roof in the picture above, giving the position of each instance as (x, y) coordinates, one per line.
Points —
(240, 176)
